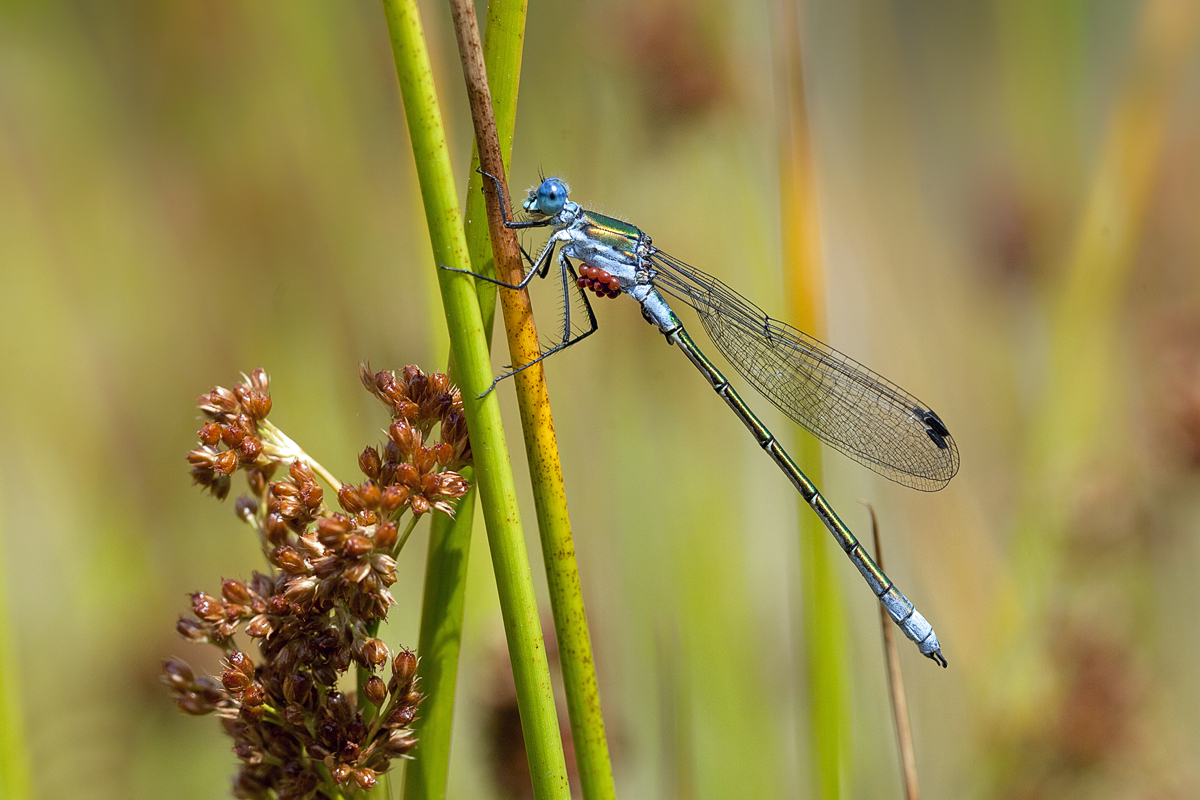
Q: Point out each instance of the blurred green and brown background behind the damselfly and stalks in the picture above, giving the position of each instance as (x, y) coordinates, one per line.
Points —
(1010, 215)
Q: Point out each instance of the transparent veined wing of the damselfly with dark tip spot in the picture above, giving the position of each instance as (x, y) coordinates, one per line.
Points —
(838, 400)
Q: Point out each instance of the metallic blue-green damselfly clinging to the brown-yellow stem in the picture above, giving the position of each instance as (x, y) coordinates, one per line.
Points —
(838, 400)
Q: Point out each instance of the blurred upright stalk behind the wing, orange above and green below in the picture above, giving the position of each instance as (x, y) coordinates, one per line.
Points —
(824, 621)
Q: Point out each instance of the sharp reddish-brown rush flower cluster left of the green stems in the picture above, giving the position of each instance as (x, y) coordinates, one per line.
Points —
(316, 612)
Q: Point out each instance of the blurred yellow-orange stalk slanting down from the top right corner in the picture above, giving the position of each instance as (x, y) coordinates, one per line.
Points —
(1084, 394)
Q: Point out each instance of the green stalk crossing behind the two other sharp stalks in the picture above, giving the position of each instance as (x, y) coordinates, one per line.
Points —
(446, 568)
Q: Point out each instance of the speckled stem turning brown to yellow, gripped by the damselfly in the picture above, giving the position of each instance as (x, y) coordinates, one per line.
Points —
(542, 447)
